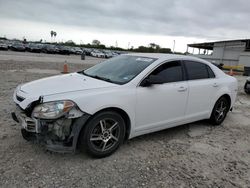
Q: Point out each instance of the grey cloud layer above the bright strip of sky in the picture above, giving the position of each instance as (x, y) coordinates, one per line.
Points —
(211, 19)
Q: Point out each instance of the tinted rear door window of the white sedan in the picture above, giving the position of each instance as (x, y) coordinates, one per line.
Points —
(196, 70)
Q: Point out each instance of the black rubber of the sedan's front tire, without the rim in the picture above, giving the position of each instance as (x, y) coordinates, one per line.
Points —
(85, 142)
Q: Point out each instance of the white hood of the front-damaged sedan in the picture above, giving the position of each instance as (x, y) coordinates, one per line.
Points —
(62, 84)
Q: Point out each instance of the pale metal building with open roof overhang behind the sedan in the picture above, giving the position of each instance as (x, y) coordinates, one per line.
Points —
(231, 52)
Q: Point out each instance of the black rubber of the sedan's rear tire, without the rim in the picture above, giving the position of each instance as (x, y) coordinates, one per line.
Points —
(213, 119)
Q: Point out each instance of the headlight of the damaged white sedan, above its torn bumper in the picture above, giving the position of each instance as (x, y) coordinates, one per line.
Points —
(52, 110)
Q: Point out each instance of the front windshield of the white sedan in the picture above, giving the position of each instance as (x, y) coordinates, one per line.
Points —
(119, 70)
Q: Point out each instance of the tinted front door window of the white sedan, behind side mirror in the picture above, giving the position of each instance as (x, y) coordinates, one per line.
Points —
(169, 72)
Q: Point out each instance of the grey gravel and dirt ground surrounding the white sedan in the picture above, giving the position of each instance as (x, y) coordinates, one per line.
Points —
(194, 155)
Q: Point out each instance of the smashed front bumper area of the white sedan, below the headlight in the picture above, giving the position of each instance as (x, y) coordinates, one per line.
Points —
(59, 135)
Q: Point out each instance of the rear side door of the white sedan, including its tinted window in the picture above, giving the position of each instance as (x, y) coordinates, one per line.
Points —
(202, 87)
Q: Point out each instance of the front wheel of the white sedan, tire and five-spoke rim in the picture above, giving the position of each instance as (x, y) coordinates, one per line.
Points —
(103, 134)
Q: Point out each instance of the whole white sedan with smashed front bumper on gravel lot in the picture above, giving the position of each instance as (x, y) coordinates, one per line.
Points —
(121, 98)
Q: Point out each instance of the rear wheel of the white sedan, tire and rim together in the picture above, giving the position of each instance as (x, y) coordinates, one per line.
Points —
(220, 111)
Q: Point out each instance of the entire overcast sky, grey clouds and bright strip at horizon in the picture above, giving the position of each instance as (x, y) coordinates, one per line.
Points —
(127, 22)
